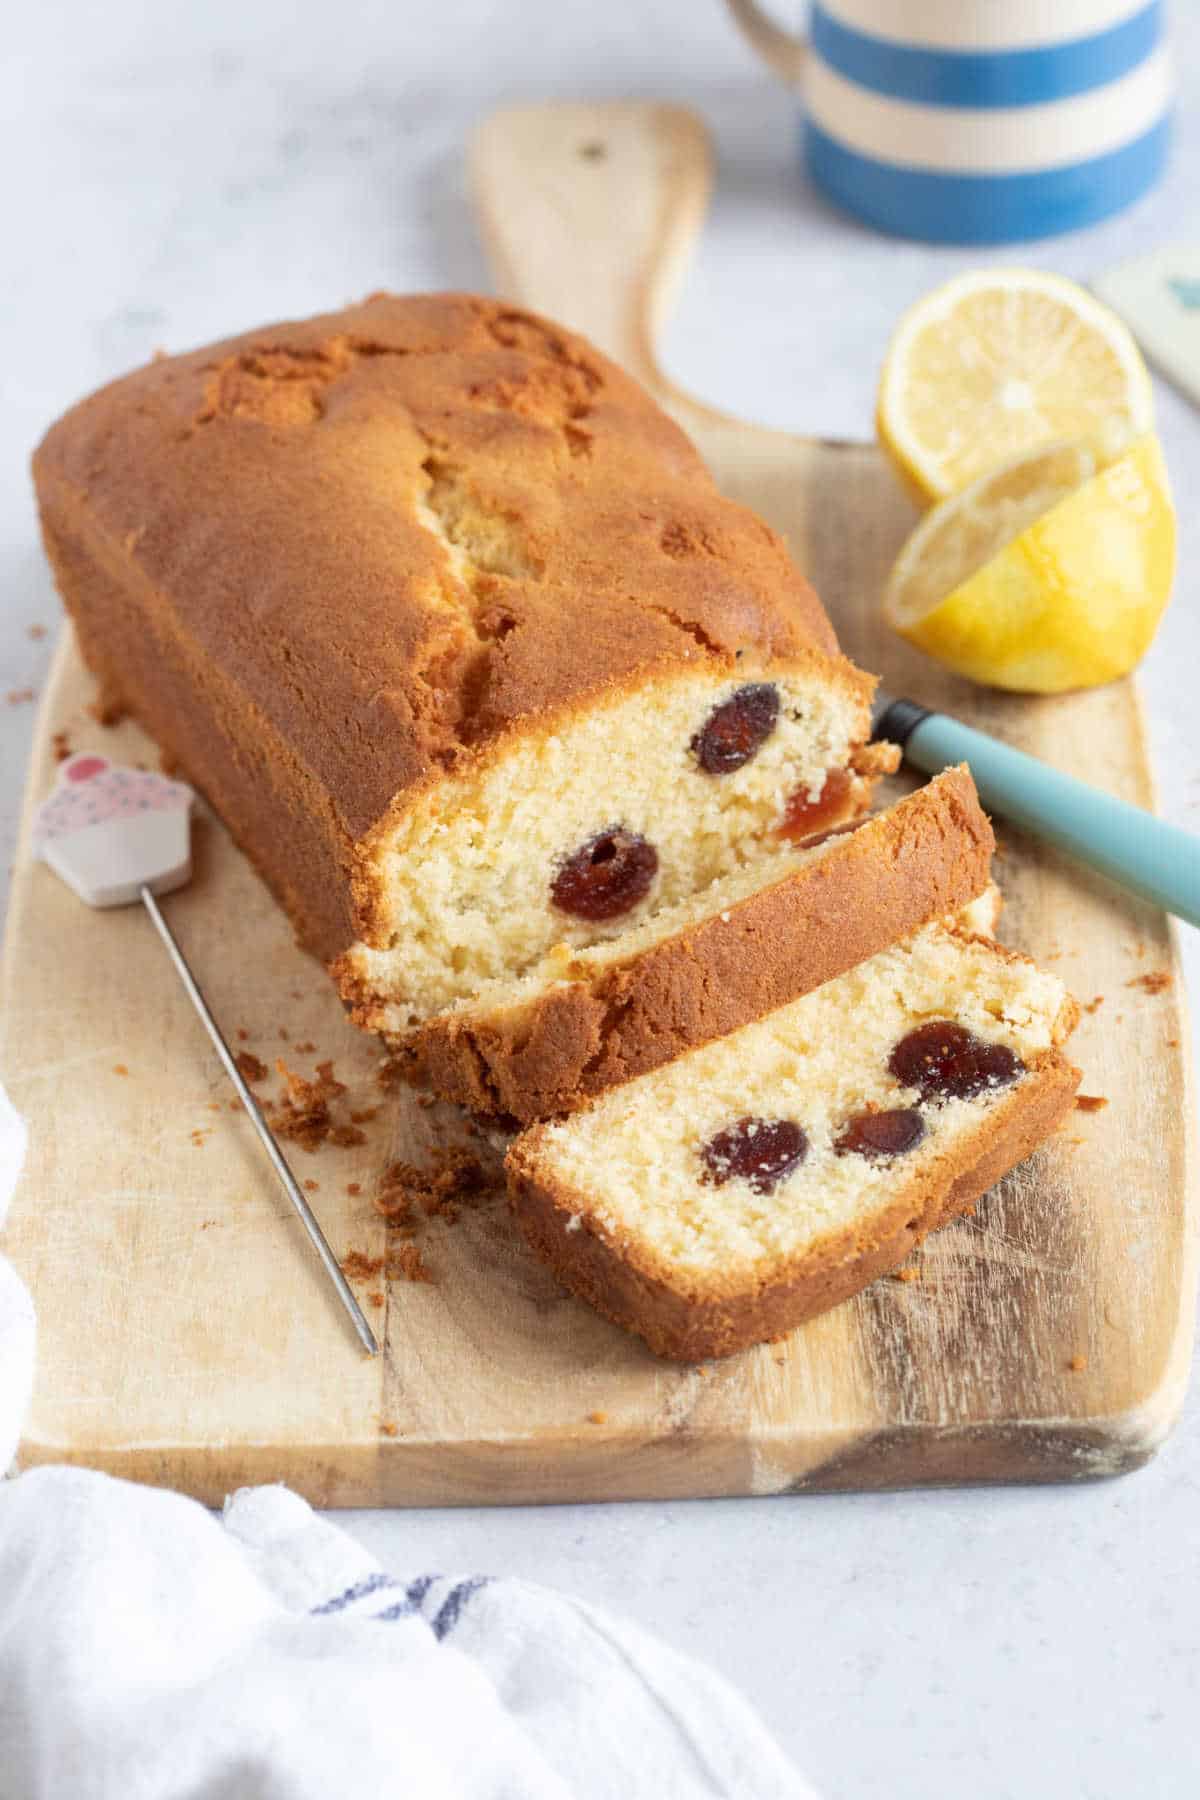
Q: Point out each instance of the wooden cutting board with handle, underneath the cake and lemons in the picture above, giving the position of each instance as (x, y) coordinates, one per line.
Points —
(184, 1331)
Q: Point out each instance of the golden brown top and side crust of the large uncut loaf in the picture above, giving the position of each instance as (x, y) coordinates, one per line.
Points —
(242, 541)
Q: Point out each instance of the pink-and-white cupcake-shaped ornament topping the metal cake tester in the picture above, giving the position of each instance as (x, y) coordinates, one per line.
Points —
(111, 831)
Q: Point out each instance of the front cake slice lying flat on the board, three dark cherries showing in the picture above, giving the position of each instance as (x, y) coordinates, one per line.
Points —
(726, 1198)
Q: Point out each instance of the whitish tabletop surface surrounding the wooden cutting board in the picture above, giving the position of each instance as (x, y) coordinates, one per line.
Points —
(175, 172)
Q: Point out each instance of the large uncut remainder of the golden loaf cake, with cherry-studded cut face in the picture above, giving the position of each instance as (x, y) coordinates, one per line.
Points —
(456, 633)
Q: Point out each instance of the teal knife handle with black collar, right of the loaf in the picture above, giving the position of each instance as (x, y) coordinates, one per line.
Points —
(1131, 847)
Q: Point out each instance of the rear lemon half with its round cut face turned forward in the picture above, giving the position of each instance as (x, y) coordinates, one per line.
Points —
(998, 363)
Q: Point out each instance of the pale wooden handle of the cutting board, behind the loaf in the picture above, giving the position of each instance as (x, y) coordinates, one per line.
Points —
(591, 211)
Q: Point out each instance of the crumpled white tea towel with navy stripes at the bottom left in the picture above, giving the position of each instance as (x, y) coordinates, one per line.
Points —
(152, 1651)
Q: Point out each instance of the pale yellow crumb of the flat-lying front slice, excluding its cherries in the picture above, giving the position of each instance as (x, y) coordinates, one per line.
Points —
(821, 1059)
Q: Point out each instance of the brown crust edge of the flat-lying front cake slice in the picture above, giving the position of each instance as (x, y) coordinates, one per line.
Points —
(690, 1320)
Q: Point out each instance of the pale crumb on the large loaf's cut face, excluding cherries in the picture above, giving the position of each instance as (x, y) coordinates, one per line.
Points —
(467, 874)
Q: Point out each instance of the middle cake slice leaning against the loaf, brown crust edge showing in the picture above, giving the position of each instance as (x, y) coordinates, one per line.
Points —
(587, 1020)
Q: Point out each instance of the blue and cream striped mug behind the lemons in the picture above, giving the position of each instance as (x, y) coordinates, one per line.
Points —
(978, 121)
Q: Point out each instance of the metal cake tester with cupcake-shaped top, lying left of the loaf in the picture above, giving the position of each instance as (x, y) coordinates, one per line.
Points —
(118, 836)
